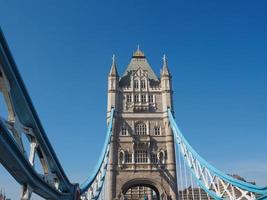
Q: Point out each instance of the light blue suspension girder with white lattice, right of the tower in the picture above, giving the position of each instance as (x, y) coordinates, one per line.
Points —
(213, 181)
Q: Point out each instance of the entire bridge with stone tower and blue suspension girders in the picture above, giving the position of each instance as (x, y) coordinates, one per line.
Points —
(144, 156)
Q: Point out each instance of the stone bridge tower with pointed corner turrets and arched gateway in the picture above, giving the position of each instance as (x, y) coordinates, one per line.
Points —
(142, 154)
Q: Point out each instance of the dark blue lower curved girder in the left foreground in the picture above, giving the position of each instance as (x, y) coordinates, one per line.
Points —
(19, 167)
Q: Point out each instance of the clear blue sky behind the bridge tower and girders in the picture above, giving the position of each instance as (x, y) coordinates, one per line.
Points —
(217, 56)
